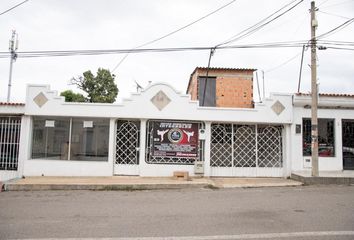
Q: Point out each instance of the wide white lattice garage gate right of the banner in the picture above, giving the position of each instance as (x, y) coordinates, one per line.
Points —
(246, 150)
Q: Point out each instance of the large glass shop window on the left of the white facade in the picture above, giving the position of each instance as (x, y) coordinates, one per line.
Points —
(89, 139)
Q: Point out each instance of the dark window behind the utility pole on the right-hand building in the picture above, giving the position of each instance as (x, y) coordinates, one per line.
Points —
(325, 137)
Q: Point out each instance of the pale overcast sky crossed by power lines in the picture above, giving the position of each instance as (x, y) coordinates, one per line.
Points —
(46, 25)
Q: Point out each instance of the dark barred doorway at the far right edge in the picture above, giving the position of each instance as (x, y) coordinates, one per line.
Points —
(348, 144)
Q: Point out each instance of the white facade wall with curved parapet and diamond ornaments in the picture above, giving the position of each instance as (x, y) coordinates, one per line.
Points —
(140, 107)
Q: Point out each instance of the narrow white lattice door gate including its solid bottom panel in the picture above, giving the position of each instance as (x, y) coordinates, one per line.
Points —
(127, 147)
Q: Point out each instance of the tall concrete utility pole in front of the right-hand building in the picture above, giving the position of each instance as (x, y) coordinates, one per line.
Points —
(314, 93)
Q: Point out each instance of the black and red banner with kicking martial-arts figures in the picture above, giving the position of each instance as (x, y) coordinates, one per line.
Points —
(175, 139)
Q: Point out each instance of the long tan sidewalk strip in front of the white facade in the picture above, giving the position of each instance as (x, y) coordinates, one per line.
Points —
(139, 183)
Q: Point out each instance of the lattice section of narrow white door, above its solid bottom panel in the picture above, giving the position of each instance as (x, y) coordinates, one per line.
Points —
(127, 142)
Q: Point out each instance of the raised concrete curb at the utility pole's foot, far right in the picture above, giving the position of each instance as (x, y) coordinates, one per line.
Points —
(323, 180)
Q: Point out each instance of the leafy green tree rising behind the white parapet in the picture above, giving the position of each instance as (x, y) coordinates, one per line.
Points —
(100, 88)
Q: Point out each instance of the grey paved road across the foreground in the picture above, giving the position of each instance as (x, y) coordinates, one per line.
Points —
(325, 212)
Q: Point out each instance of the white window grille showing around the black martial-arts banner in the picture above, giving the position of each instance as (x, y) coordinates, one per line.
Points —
(170, 160)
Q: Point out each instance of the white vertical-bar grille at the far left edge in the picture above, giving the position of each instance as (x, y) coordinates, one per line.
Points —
(9, 142)
